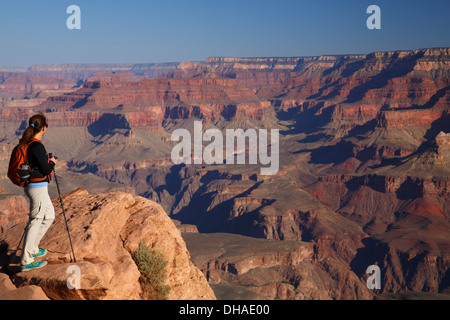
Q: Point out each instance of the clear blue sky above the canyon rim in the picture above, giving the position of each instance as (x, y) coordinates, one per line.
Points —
(136, 31)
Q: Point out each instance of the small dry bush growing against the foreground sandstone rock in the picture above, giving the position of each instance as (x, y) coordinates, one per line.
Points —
(152, 266)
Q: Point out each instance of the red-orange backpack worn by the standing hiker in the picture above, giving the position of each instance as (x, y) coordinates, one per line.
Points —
(19, 170)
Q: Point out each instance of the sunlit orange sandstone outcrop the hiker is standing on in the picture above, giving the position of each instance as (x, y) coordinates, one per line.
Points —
(105, 229)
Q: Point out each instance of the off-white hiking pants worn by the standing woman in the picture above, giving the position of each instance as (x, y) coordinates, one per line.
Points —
(42, 214)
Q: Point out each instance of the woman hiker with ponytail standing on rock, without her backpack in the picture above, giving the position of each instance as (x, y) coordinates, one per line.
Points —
(42, 212)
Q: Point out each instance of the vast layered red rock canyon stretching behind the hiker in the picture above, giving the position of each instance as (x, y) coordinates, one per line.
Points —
(363, 176)
